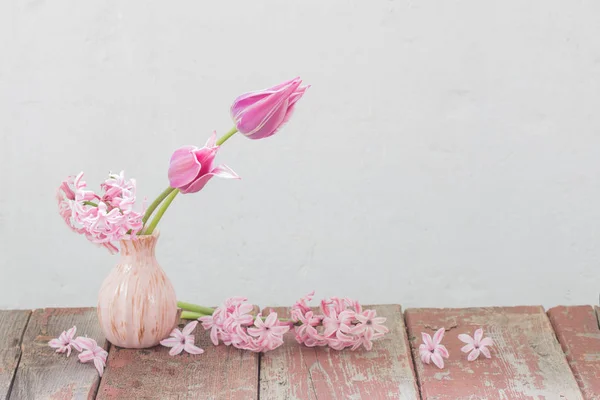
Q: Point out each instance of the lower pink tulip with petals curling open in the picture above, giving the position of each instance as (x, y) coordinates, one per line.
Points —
(191, 168)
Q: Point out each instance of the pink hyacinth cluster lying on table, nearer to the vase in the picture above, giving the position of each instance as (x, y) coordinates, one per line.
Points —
(233, 325)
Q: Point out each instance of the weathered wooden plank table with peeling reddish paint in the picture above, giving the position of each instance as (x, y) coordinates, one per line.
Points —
(538, 355)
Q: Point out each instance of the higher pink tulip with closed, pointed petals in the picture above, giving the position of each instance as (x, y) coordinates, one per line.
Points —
(260, 114)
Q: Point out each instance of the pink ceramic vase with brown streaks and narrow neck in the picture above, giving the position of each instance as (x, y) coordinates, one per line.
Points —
(137, 307)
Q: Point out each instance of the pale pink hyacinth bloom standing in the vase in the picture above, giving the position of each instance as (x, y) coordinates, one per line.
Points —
(105, 218)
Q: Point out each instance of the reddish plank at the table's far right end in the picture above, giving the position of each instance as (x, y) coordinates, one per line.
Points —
(579, 335)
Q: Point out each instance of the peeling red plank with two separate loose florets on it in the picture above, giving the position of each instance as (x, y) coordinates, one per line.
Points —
(527, 361)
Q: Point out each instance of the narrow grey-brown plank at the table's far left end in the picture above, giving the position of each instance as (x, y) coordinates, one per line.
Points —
(12, 326)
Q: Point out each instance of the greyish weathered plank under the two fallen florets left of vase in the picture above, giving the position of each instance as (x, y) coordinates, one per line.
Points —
(42, 373)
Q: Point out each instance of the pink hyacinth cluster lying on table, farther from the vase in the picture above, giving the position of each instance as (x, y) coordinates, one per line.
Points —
(342, 323)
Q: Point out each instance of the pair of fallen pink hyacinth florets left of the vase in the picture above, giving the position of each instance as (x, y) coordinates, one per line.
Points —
(88, 348)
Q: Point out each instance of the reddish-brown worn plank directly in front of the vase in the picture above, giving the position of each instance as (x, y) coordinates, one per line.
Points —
(221, 372)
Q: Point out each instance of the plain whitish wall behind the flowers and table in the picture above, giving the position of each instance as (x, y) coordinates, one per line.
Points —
(448, 153)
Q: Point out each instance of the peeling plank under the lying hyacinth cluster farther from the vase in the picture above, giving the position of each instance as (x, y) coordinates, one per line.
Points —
(298, 372)
